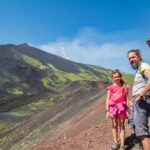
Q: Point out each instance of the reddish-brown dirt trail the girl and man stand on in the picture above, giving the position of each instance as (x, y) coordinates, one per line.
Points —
(88, 131)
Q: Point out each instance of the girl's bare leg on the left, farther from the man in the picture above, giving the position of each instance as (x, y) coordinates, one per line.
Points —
(115, 129)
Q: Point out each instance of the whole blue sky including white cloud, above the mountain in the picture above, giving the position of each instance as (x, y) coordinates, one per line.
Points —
(96, 32)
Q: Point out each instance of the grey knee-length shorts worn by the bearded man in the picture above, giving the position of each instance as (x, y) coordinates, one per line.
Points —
(139, 117)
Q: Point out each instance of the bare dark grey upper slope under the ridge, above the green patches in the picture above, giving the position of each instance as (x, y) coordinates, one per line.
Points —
(45, 58)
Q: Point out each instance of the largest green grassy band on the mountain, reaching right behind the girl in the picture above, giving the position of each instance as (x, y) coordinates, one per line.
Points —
(62, 77)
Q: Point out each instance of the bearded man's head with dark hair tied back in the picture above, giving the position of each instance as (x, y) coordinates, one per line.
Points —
(134, 57)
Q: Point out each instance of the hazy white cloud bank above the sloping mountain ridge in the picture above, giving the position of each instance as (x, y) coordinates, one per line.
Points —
(92, 47)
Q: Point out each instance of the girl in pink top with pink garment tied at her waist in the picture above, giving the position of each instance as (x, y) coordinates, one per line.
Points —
(116, 108)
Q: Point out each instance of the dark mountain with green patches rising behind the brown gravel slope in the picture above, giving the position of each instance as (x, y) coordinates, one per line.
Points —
(27, 71)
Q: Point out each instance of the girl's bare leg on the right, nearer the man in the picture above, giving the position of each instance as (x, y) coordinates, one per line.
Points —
(122, 131)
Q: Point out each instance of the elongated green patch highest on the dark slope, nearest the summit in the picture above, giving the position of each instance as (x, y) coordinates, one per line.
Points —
(34, 62)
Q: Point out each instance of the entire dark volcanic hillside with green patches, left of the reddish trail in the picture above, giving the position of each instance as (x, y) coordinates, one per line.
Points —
(40, 91)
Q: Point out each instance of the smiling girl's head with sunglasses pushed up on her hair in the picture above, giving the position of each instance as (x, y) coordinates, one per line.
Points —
(117, 77)
